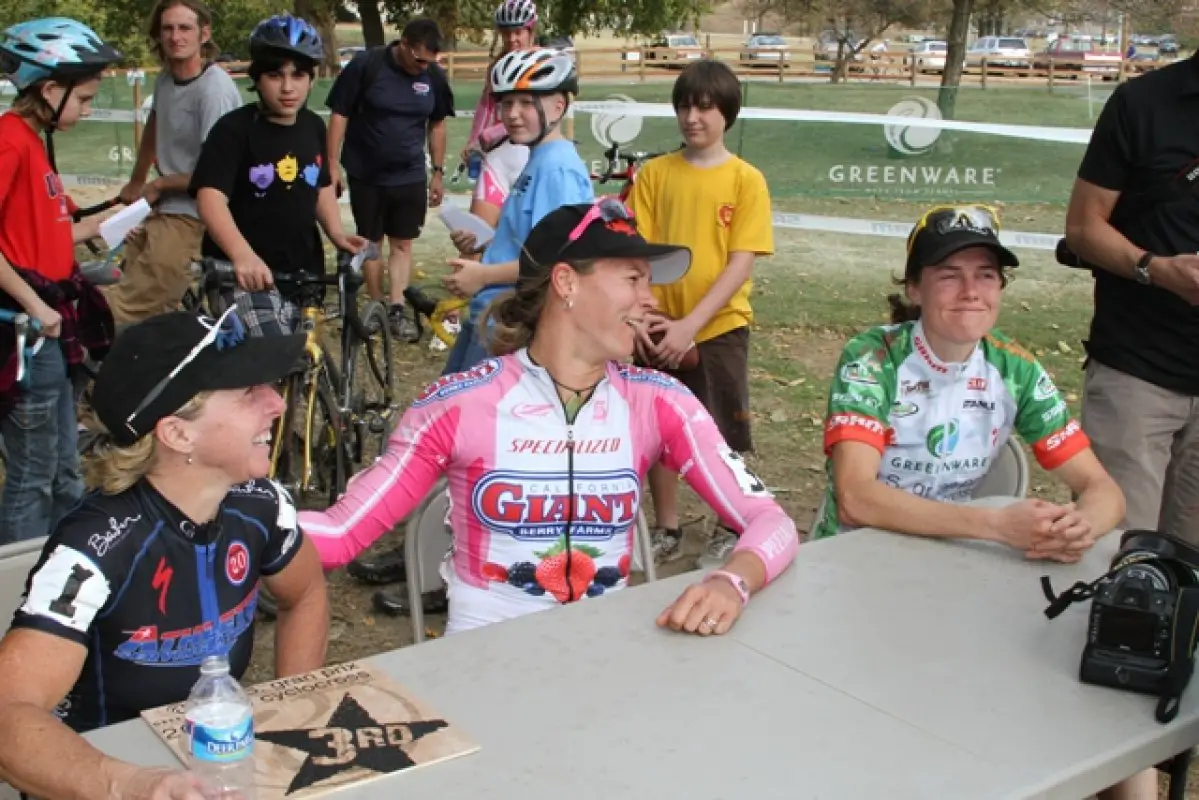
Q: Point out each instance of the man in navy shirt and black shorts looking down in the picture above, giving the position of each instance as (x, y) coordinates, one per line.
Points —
(385, 106)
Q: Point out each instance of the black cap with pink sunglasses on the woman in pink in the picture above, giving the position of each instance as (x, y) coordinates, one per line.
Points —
(611, 233)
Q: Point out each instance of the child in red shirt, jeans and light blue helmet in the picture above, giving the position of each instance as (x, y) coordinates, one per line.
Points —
(56, 64)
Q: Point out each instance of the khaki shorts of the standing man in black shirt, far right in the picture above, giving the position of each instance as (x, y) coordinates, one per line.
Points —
(1148, 440)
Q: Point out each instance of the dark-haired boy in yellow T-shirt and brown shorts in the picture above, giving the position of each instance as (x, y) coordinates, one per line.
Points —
(719, 206)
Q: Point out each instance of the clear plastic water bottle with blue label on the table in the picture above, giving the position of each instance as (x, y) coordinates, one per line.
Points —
(219, 726)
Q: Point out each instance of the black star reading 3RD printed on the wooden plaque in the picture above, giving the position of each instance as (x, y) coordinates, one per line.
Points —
(352, 738)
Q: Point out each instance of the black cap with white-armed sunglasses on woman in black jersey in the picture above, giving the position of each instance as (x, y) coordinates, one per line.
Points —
(136, 386)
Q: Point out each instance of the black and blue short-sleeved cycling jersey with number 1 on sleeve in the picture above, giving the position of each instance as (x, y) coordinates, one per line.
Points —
(150, 594)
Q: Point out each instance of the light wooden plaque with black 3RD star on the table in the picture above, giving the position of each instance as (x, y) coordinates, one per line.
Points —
(332, 729)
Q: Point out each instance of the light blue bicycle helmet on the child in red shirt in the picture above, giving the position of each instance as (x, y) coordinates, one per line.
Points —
(55, 47)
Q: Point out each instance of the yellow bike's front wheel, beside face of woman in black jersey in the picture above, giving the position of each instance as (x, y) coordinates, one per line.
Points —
(322, 441)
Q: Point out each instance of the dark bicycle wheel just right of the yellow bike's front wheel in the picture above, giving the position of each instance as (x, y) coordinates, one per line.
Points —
(369, 388)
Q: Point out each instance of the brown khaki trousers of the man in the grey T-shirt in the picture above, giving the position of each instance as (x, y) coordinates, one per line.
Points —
(158, 268)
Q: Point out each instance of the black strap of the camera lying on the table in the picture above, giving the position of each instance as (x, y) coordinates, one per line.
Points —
(1183, 637)
